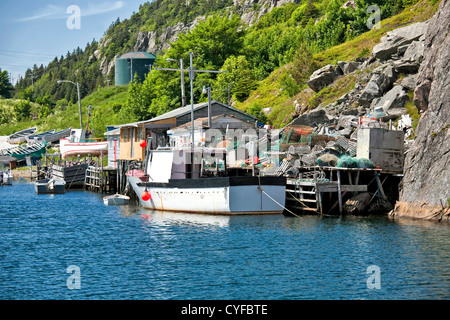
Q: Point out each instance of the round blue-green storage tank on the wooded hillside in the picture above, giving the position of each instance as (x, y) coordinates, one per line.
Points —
(131, 63)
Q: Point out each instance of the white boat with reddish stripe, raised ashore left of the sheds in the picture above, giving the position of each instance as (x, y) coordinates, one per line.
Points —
(74, 145)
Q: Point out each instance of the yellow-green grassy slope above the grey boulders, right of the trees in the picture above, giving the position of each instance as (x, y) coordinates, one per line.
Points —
(273, 91)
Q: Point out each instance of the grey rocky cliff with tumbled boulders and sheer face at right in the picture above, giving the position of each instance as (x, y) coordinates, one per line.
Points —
(409, 61)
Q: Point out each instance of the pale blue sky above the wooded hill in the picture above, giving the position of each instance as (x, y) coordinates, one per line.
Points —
(36, 31)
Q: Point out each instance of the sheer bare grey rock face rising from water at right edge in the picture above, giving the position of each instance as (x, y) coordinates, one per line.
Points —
(426, 179)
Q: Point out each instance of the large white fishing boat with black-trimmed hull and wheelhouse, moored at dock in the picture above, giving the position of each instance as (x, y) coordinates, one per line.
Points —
(171, 183)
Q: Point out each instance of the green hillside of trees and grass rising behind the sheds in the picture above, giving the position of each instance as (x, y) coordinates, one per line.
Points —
(267, 63)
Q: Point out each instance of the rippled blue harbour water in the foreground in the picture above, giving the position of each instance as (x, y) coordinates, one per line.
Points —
(130, 253)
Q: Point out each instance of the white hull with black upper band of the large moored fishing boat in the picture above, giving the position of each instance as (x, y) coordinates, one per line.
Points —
(226, 196)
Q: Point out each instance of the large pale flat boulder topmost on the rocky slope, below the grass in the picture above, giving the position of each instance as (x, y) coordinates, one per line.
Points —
(397, 38)
